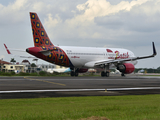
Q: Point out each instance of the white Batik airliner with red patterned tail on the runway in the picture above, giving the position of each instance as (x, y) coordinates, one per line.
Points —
(80, 59)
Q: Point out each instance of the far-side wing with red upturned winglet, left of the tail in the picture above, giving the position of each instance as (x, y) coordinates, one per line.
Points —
(8, 51)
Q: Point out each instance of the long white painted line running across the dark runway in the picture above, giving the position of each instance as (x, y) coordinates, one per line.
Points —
(78, 90)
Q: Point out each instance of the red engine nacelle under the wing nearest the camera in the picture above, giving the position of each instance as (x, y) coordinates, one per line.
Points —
(126, 68)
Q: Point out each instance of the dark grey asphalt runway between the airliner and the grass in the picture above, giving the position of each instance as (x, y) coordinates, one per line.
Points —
(33, 87)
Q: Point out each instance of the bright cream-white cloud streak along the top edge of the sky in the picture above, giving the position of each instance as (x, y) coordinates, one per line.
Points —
(98, 8)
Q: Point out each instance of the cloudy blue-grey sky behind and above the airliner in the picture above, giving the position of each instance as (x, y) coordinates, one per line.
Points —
(130, 24)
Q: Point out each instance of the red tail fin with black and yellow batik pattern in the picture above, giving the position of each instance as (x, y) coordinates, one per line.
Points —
(40, 36)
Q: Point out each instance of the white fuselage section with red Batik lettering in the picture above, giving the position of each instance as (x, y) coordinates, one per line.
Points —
(80, 56)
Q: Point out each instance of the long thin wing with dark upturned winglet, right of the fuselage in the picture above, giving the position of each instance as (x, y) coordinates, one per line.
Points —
(104, 62)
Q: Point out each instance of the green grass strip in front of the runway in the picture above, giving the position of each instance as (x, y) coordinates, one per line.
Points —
(136, 107)
